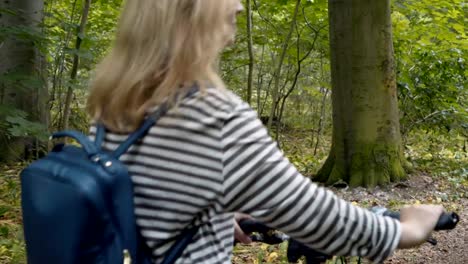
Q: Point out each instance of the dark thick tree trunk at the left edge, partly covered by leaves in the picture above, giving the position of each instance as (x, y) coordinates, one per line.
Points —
(22, 69)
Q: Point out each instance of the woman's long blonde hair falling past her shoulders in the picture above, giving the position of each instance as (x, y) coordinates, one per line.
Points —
(161, 47)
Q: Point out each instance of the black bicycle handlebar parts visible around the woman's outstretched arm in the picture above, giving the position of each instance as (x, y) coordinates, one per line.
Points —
(260, 232)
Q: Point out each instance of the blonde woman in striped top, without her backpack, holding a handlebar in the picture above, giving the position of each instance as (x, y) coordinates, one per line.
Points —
(210, 156)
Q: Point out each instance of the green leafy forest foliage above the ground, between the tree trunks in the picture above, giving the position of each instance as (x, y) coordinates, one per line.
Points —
(430, 50)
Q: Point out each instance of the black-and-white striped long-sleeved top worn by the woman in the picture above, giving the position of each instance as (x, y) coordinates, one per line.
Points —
(210, 157)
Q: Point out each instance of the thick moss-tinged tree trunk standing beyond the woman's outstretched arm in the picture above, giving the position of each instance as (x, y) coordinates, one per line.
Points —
(366, 146)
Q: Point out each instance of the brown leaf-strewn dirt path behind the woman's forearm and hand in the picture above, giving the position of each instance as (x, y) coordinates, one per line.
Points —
(452, 247)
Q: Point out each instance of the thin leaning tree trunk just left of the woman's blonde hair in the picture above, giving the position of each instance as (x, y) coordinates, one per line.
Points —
(76, 62)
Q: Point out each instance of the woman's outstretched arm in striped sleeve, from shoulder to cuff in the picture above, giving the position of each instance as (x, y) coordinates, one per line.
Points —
(260, 181)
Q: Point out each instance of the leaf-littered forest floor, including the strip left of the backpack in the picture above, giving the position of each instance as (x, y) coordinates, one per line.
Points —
(421, 187)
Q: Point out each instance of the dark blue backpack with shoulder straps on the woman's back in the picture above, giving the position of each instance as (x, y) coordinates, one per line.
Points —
(77, 205)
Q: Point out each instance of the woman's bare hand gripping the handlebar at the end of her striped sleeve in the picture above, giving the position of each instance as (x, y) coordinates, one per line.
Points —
(417, 223)
